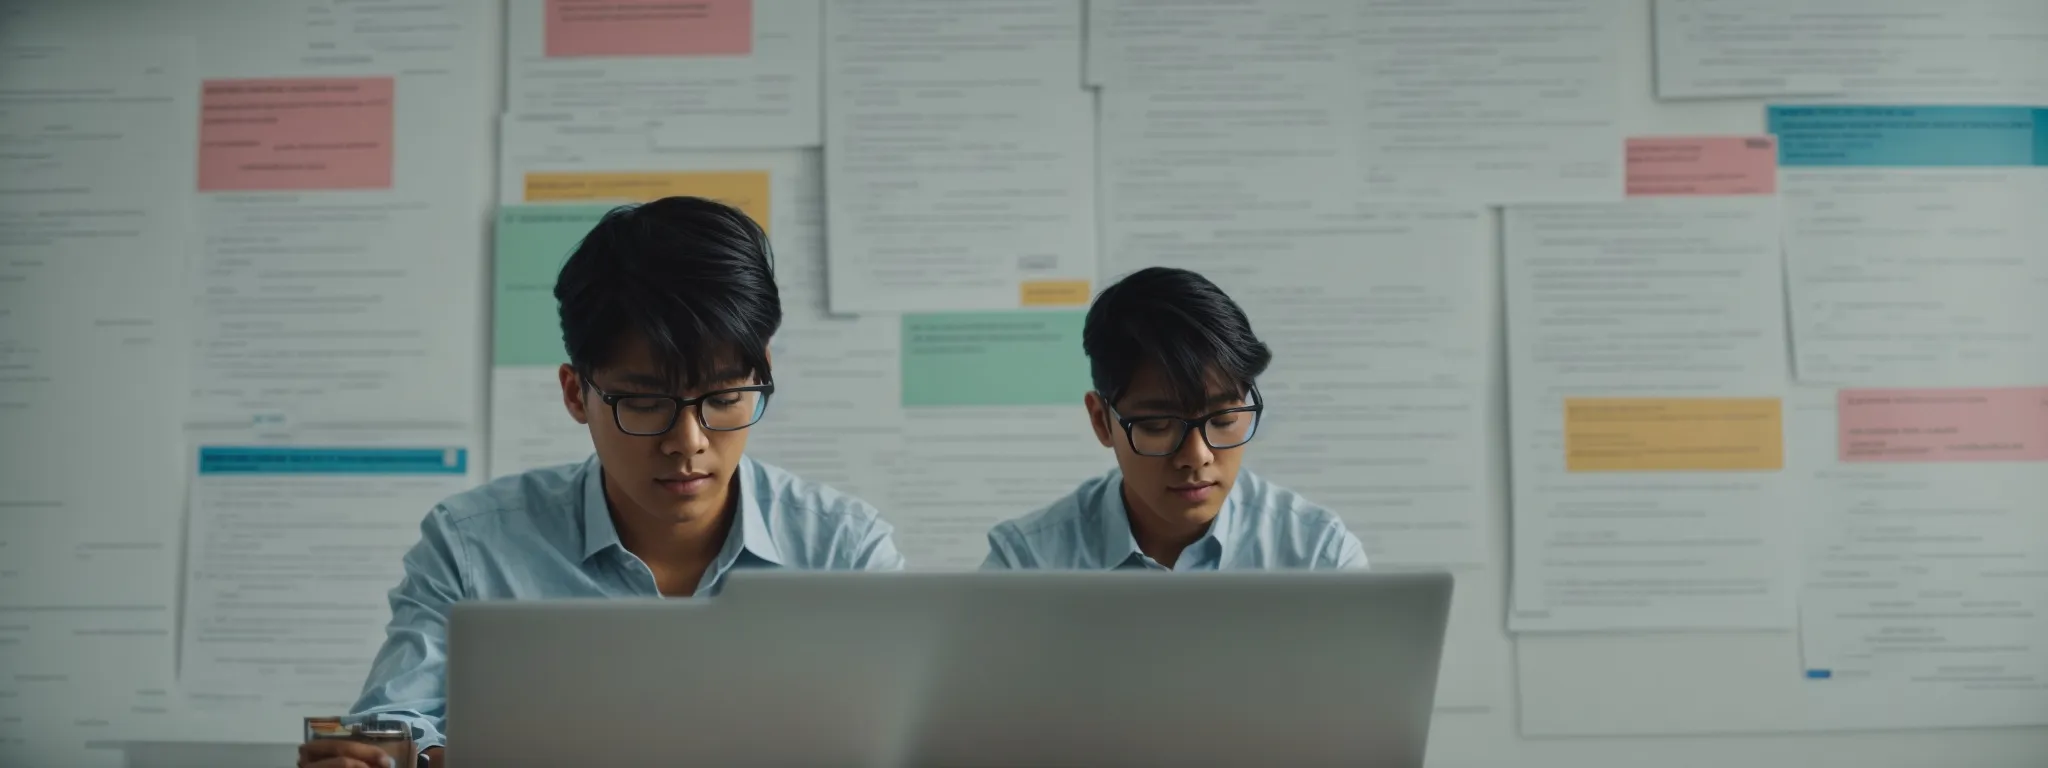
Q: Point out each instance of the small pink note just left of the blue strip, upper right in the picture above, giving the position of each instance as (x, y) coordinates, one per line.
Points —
(1703, 165)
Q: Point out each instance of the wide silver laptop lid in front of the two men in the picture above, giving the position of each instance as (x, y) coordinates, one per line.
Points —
(1123, 669)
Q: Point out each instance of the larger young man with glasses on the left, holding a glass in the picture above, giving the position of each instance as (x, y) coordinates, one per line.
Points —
(667, 314)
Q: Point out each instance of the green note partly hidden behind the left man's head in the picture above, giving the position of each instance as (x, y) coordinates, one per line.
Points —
(531, 245)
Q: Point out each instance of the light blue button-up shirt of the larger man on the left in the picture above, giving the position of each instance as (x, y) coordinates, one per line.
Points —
(550, 534)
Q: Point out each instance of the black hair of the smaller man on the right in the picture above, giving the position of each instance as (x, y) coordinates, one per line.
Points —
(1181, 323)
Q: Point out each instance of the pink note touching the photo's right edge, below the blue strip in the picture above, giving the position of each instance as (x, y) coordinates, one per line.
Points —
(1945, 425)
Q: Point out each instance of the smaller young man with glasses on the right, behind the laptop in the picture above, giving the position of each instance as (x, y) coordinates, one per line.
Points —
(1175, 368)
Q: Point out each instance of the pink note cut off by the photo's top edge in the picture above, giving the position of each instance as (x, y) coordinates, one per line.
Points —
(650, 28)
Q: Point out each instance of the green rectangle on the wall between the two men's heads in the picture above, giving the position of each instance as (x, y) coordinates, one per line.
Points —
(1023, 357)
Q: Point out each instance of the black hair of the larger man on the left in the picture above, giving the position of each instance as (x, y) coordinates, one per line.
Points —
(693, 278)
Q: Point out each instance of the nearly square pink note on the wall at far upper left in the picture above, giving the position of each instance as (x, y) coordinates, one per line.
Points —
(296, 134)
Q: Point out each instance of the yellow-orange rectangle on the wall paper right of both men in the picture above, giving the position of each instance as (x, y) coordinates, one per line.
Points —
(1674, 433)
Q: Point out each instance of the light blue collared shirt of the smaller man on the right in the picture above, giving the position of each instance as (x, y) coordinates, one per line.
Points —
(1261, 527)
